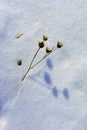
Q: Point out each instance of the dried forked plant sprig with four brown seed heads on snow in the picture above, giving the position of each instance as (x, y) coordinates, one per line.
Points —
(48, 50)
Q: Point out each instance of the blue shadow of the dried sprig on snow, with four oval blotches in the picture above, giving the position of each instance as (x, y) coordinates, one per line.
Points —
(44, 78)
